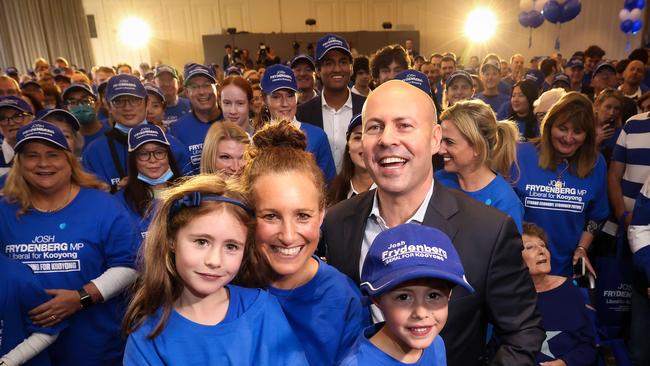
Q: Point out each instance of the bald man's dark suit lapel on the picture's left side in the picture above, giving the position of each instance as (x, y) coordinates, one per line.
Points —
(354, 225)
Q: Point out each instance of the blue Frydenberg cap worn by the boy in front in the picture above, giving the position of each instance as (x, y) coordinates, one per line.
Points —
(407, 252)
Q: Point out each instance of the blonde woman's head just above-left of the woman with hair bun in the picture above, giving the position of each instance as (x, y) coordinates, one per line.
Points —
(223, 149)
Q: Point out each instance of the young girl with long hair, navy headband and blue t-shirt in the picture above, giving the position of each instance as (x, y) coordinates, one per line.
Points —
(185, 311)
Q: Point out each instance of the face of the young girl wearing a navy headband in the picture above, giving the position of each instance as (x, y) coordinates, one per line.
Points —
(209, 251)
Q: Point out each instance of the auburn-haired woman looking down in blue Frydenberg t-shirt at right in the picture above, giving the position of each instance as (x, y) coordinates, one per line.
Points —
(562, 181)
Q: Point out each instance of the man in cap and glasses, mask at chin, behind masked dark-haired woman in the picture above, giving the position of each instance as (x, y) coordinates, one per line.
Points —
(127, 104)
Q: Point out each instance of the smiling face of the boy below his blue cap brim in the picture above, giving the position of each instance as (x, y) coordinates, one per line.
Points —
(415, 312)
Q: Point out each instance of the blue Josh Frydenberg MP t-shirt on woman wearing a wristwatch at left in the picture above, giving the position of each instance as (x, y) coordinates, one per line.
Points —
(68, 248)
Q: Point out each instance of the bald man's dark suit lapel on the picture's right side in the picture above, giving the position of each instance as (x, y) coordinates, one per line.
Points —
(442, 207)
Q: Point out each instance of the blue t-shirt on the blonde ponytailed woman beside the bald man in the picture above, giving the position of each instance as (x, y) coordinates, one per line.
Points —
(498, 194)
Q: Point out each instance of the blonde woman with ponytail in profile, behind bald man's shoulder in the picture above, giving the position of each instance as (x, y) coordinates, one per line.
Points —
(478, 153)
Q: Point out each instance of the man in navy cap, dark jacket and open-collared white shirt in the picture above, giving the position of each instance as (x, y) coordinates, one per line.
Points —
(334, 108)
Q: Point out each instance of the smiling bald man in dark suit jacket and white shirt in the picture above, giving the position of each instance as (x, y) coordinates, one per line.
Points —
(400, 134)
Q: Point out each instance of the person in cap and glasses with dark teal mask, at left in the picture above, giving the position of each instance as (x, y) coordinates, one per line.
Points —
(80, 100)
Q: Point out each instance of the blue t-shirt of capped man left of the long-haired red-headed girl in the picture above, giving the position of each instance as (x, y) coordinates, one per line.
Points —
(191, 132)
